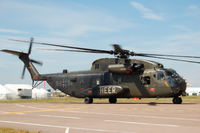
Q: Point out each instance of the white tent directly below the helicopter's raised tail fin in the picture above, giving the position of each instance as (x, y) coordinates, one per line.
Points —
(40, 93)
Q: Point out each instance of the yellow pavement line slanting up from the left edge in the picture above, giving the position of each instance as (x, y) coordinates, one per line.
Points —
(7, 113)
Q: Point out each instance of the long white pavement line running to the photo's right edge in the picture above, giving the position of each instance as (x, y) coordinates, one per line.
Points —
(154, 117)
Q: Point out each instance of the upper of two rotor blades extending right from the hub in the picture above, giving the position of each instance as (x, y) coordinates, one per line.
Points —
(145, 54)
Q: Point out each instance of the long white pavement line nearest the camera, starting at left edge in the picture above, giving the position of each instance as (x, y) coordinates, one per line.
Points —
(53, 126)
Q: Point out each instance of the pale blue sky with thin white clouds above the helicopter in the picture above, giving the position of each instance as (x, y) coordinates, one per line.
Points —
(165, 27)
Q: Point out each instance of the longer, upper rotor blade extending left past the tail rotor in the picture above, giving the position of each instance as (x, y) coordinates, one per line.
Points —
(64, 46)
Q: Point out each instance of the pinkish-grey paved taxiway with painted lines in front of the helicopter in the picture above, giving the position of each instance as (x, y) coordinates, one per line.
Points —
(105, 118)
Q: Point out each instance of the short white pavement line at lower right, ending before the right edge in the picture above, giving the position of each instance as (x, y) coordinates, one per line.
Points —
(139, 123)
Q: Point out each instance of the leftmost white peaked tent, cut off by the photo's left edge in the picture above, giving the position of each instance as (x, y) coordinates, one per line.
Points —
(6, 93)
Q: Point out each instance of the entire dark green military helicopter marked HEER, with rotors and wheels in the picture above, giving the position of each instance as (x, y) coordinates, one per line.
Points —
(119, 77)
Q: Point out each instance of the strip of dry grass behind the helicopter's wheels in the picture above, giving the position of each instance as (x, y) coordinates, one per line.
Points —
(191, 99)
